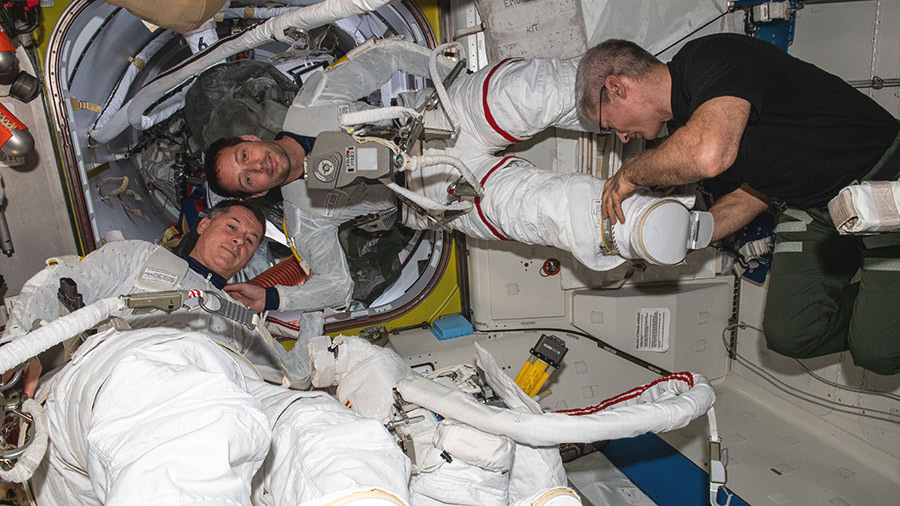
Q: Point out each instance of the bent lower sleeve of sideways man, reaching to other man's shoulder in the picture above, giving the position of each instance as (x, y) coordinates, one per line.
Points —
(316, 240)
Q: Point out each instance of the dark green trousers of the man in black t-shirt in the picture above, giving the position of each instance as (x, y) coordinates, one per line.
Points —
(813, 308)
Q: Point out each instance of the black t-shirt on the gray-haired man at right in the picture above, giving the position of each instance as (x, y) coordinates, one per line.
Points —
(809, 133)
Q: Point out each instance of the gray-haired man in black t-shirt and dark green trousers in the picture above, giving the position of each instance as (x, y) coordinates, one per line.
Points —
(761, 126)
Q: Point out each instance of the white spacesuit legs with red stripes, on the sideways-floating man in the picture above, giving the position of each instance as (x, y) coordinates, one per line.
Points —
(509, 102)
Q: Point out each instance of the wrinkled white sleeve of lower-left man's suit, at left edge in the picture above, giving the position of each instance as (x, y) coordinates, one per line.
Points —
(106, 272)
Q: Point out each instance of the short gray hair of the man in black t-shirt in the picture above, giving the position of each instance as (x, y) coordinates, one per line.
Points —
(613, 57)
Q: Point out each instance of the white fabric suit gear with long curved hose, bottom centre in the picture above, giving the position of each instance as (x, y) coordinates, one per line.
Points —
(475, 452)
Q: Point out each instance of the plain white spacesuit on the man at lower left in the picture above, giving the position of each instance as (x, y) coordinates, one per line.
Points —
(177, 415)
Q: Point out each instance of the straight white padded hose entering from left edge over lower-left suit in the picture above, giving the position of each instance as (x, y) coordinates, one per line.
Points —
(31, 344)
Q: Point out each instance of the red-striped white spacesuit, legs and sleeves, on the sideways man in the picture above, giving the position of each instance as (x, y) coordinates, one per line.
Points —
(498, 105)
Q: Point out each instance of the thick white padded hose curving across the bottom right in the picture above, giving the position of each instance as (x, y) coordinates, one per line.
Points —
(676, 407)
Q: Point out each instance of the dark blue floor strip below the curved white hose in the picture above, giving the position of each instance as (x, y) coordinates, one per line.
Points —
(664, 474)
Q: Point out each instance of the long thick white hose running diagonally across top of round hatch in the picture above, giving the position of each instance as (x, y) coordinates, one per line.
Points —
(304, 18)
